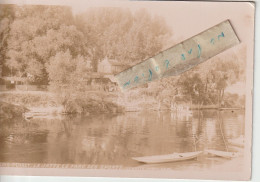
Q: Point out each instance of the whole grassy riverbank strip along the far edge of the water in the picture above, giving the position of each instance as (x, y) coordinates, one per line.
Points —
(47, 103)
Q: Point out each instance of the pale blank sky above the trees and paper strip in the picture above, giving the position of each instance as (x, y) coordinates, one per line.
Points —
(185, 18)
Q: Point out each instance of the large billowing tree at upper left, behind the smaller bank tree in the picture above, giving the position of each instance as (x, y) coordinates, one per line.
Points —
(27, 39)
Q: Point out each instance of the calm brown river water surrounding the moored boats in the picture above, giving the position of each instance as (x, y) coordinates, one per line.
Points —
(107, 139)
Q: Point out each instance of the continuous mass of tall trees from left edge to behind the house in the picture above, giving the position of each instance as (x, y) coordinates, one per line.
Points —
(34, 36)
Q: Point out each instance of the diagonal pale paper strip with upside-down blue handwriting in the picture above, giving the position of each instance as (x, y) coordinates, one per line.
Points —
(181, 57)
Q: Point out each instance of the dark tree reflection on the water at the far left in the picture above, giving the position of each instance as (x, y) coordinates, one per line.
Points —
(22, 141)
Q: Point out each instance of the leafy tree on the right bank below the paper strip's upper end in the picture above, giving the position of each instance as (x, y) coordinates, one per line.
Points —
(206, 83)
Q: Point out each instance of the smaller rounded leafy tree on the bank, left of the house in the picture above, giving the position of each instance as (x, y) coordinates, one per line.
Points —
(67, 77)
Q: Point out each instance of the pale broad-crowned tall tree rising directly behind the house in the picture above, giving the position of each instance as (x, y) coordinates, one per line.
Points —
(119, 34)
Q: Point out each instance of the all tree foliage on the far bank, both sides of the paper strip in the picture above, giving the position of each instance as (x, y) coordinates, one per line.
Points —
(50, 45)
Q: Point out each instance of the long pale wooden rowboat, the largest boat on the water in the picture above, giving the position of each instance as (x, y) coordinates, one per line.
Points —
(167, 158)
